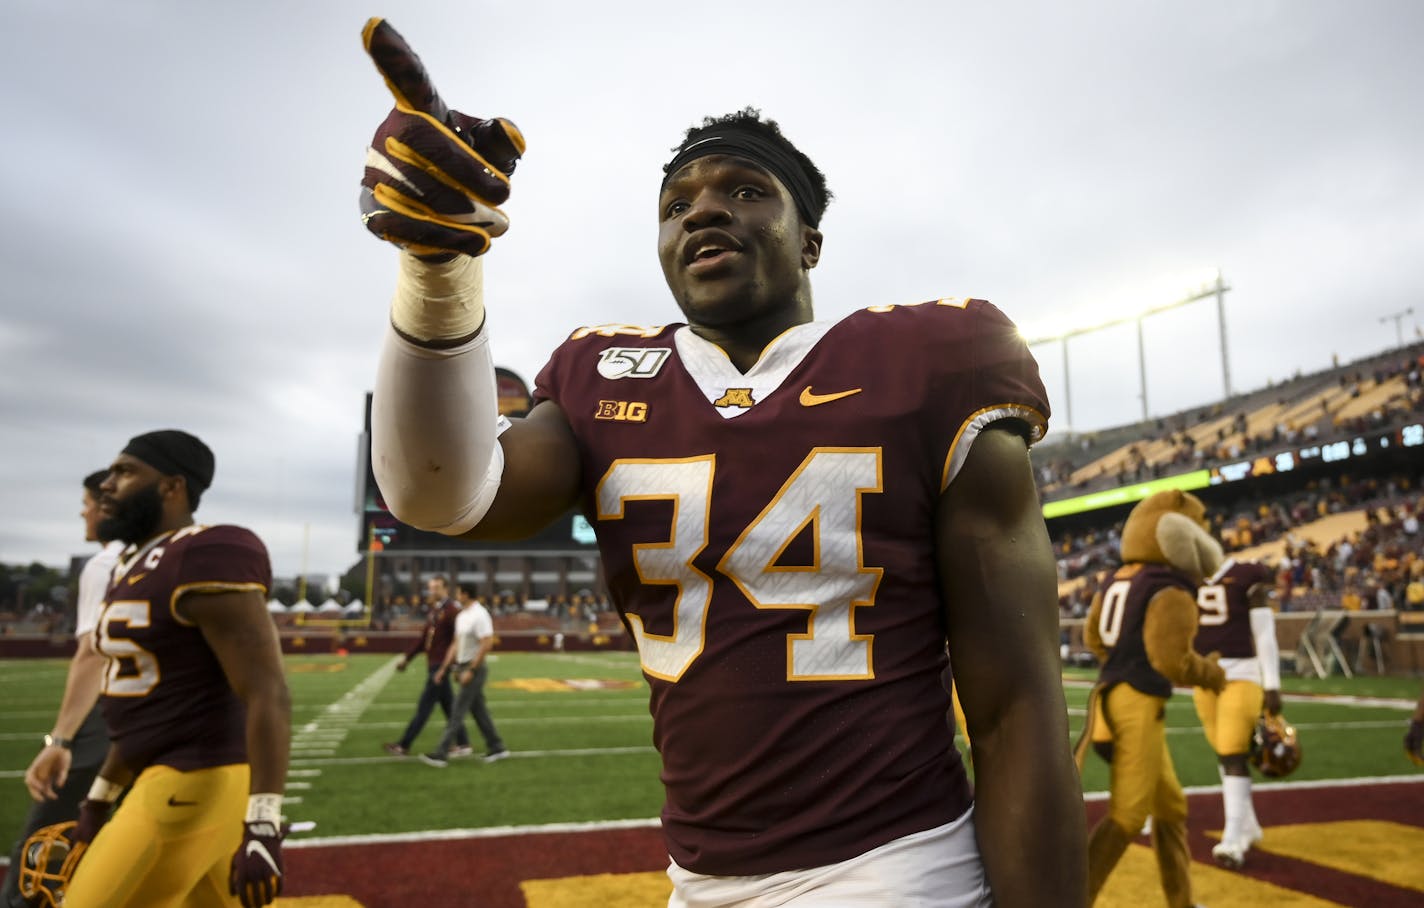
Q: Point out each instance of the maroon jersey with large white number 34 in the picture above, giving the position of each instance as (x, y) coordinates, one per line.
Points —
(768, 539)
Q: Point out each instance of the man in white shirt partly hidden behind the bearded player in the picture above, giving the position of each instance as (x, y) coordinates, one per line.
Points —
(61, 775)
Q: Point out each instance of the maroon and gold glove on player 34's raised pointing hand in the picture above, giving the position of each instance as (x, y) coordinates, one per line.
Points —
(435, 177)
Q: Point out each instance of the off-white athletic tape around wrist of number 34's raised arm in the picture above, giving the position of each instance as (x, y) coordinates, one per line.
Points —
(439, 301)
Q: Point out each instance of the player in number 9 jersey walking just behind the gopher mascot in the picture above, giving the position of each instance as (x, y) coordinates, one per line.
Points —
(1237, 621)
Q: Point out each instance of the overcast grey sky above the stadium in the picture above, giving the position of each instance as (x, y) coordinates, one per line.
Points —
(183, 246)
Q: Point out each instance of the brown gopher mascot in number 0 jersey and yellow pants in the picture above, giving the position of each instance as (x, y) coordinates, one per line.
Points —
(1141, 627)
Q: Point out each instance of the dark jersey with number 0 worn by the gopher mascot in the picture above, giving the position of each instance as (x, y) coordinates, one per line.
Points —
(1121, 618)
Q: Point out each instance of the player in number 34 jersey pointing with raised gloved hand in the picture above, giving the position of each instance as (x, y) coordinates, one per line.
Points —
(794, 519)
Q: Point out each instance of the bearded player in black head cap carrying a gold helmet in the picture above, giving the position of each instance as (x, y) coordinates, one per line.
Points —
(194, 698)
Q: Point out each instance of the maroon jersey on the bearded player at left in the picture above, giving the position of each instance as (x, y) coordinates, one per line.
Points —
(166, 697)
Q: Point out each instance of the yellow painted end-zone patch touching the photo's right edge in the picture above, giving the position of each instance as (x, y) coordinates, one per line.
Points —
(1375, 849)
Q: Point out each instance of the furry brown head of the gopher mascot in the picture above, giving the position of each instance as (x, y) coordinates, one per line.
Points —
(1170, 529)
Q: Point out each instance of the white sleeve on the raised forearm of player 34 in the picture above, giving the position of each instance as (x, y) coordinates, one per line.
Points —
(435, 428)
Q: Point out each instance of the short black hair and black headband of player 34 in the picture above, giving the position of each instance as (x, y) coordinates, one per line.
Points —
(751, 136)
